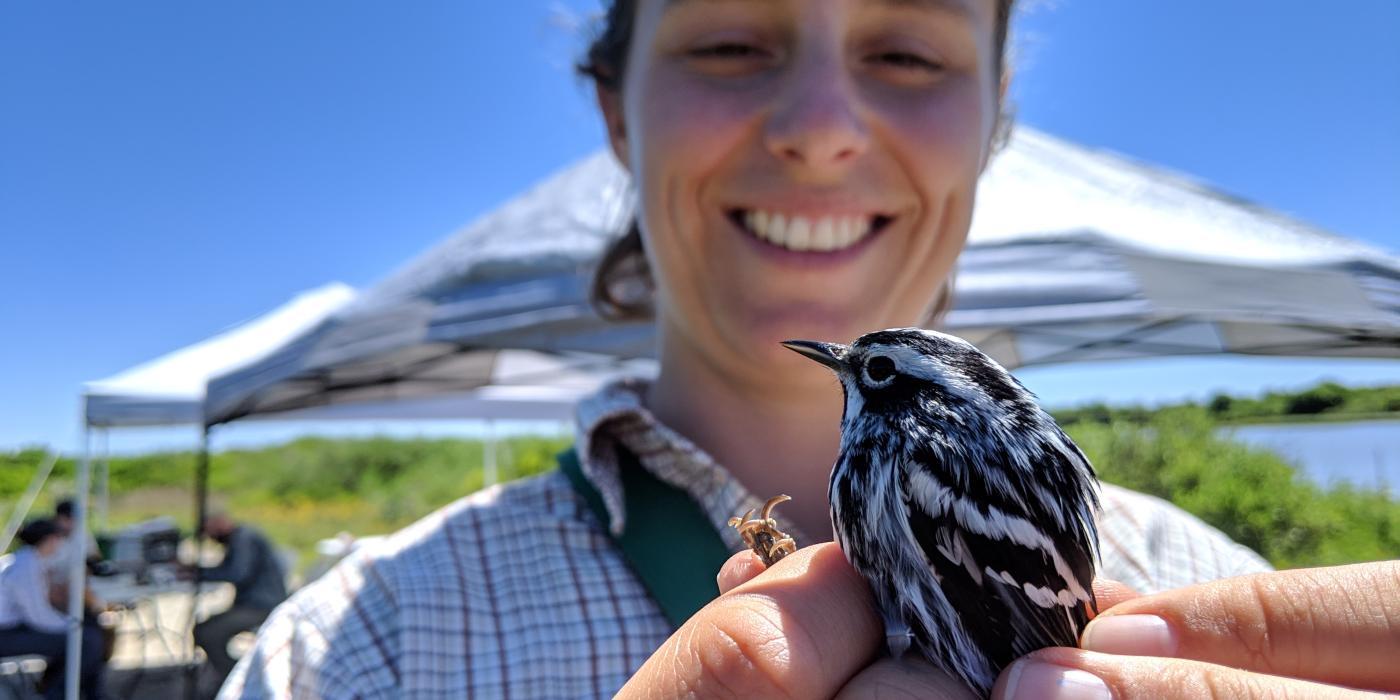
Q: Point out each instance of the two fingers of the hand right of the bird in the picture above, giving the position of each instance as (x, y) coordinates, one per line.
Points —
(1282, 635)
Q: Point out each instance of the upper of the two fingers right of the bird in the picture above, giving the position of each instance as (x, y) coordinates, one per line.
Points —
(1339, 625)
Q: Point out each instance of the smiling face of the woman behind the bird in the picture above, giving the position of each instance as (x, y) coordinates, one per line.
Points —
(806, 169)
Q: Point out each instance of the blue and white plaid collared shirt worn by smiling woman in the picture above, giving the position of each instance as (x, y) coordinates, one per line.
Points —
(517, 591)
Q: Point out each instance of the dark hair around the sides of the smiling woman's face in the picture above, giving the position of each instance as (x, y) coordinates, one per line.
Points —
(622, 269)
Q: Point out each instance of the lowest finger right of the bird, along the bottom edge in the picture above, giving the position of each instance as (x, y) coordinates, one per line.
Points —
(1063, 674)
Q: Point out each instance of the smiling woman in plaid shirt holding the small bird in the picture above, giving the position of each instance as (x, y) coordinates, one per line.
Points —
(806, 169)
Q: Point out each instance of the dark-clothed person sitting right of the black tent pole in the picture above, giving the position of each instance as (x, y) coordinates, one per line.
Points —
(260, 584)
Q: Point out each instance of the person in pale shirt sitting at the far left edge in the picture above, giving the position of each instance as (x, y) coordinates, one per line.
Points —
(29, 622)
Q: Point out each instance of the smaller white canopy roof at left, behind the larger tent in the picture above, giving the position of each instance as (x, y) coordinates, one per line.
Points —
(170, 390)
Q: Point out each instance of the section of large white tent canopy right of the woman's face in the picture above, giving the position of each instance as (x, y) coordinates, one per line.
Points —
(1083, 255)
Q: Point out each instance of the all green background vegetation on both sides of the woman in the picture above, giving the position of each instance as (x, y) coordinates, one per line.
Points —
(314, 488)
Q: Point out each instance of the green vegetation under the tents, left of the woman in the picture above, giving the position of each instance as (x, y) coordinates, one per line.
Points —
(300, 492)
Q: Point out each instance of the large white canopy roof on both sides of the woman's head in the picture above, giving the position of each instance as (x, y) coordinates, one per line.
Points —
(1074, 255)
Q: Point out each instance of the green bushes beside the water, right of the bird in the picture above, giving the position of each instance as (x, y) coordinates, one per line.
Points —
(1252, 495)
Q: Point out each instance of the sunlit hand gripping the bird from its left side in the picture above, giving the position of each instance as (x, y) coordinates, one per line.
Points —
(801, 629)
